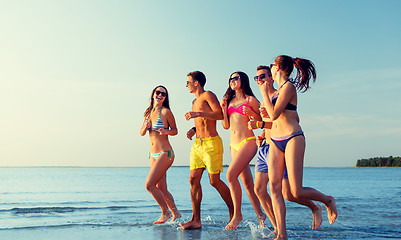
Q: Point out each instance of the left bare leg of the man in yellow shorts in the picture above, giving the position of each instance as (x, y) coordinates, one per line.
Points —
(196, 197)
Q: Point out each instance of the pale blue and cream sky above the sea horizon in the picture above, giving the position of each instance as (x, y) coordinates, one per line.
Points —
(76, 76)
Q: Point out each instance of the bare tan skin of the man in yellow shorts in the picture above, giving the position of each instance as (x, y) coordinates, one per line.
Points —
(205, 112)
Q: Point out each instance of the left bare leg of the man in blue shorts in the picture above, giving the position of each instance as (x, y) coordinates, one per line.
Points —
(261, 181)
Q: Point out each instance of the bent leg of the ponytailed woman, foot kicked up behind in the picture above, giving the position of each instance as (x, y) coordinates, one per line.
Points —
(295, 160)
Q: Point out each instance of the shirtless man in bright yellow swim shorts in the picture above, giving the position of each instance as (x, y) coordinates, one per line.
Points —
(207, 150)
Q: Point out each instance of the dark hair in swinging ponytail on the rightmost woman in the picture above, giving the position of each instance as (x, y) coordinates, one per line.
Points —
(305, 70)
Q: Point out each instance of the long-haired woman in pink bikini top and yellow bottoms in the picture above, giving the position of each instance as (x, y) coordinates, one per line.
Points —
(239, 104)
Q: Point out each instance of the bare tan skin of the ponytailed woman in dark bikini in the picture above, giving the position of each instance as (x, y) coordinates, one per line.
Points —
(286, 122)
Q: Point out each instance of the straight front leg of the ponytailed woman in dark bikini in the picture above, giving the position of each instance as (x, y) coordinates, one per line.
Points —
(276, 166)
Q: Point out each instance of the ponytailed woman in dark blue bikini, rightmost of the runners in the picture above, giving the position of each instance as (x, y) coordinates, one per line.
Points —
(288, 146)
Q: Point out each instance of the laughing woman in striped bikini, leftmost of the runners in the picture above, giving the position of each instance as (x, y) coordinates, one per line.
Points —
(160, 122)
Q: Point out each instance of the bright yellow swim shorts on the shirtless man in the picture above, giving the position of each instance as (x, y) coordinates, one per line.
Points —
(207, 153)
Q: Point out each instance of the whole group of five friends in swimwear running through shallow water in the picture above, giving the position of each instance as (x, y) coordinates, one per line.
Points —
(280, 158)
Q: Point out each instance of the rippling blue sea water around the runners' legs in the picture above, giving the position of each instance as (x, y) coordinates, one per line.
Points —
(112, 203)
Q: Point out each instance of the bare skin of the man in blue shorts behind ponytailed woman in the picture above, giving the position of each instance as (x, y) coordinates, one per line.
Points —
(262, 179)
